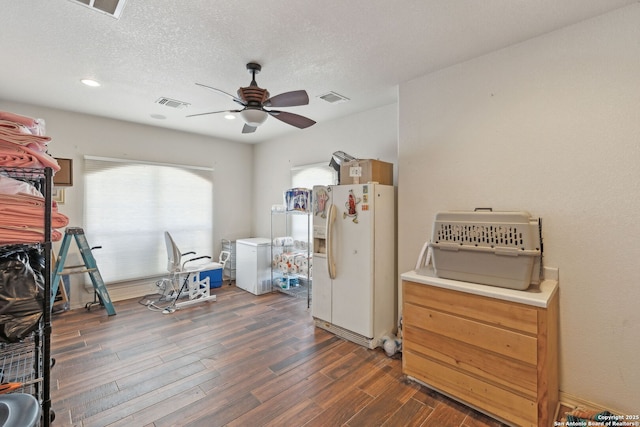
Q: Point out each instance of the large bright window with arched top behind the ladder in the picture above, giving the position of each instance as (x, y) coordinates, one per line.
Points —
(129, 205)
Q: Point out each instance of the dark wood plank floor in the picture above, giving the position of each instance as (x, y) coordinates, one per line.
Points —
(242, 360)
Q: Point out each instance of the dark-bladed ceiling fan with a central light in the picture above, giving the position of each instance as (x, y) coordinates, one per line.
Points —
(254, 99)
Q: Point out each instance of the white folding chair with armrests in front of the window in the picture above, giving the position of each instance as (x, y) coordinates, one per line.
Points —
(186, 276)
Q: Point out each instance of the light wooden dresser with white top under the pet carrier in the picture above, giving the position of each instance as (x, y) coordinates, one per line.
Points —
(491, 348)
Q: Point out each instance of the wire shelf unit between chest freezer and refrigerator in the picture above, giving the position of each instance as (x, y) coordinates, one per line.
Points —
(297, 284)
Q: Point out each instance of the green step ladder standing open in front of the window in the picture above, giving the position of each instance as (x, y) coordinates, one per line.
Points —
(89, 266)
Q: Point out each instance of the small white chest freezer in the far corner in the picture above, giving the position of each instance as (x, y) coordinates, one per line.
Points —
(253, 265)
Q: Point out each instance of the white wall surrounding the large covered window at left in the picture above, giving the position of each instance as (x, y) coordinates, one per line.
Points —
(75, 135)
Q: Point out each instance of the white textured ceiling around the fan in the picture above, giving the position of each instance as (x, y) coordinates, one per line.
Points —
(361, 49)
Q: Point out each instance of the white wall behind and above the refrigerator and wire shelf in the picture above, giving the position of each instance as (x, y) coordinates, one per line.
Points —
(369, 135)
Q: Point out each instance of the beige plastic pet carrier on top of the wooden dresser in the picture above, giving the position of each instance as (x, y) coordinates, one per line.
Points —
(492, 248)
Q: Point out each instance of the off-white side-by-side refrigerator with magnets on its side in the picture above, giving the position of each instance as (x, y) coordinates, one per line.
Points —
(354, 269)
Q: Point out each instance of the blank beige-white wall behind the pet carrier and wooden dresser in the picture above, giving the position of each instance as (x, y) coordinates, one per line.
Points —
(550, 126)
